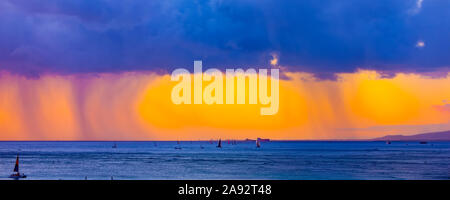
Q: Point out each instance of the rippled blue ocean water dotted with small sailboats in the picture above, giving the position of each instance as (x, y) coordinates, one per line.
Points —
(274, 160)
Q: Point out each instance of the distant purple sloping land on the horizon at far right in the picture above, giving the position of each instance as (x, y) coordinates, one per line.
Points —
(435, 136)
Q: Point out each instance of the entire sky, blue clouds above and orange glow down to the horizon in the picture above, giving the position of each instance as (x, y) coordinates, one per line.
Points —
(100, 69)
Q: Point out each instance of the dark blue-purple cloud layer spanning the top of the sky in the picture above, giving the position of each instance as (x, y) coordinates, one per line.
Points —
(320, 36)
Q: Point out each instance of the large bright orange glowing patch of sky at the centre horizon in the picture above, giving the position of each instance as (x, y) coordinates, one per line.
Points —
(223, 120)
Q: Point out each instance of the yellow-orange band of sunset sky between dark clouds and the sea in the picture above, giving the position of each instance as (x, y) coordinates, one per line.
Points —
(137, 106)
